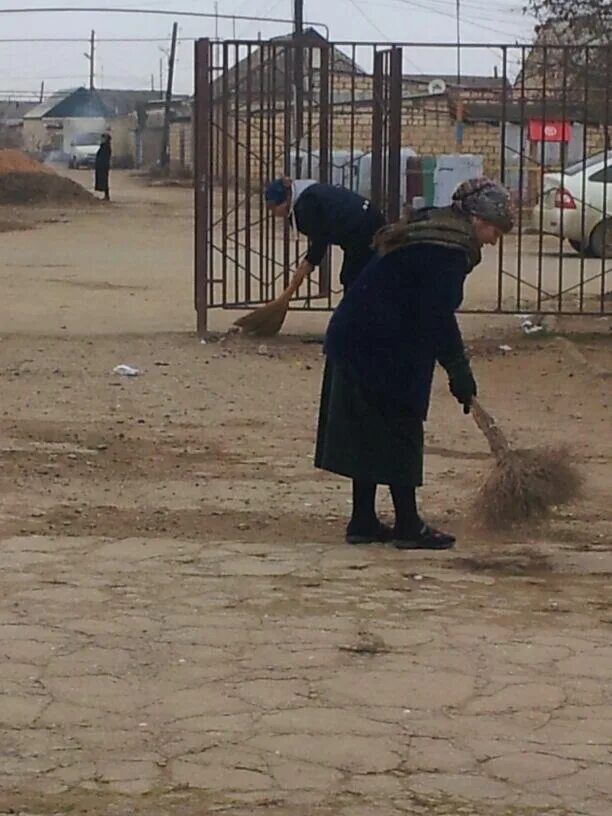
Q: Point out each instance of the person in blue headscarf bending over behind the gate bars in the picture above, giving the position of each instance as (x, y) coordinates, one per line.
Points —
(327, 215)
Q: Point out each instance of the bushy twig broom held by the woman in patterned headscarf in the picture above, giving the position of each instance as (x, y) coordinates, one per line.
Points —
(522, 484)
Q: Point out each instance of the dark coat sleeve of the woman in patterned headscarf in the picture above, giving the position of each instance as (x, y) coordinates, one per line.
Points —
(441, 295)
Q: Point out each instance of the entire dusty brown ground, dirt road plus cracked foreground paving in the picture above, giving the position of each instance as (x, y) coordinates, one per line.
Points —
(183, 630)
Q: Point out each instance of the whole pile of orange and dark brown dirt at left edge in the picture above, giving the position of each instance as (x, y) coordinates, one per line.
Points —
(24, 180)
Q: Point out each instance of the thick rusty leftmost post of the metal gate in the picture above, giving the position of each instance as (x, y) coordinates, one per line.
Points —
(202, 182)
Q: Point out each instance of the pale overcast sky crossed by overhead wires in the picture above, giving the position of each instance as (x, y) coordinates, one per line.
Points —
(134, 64)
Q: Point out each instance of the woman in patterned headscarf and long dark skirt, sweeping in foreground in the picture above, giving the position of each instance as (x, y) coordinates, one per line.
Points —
(382, 344)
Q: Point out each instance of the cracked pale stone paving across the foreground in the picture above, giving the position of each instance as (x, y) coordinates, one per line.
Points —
(308, 680)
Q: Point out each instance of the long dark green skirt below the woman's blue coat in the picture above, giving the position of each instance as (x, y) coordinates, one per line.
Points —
(362, 437)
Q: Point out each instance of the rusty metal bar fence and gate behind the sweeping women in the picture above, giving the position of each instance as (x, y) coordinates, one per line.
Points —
(353, 114)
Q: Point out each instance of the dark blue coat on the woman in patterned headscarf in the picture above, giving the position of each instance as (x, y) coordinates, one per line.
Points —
(397, 319)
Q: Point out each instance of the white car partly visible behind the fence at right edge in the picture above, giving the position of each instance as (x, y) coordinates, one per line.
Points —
(577, 205)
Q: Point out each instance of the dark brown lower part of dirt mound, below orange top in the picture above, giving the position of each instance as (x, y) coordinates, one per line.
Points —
(41, 188)
